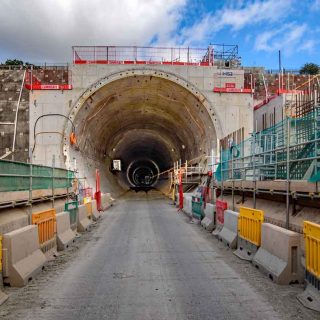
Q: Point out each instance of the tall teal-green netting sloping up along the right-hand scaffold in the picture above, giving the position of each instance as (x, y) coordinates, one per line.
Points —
(264, 155)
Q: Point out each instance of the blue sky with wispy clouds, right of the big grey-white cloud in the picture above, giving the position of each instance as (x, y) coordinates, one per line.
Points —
(260, 28)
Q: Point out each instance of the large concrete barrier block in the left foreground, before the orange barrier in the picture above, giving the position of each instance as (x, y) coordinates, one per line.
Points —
(22, 257)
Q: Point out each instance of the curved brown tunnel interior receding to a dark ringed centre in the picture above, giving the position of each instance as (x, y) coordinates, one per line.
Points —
(147, 123)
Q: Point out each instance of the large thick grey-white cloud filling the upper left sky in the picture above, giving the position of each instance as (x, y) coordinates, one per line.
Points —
(45, 30)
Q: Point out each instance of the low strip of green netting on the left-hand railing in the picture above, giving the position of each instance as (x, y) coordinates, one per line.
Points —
(15, 176)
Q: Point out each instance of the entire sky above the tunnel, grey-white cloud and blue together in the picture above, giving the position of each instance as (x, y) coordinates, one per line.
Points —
(44, 31)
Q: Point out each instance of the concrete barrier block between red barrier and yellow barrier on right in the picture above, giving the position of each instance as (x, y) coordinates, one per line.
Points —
(229, 232)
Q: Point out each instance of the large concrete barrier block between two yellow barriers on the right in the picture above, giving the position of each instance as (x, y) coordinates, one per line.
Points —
(278, 255)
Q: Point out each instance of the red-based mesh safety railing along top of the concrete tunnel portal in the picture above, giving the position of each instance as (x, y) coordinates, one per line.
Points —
(143, 55)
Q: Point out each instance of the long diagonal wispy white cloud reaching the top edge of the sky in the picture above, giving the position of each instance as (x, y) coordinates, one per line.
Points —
(237, 15)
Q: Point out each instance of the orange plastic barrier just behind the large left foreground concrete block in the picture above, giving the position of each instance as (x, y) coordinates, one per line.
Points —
(46, 224)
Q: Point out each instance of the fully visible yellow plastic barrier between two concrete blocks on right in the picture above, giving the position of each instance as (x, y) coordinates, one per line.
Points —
(249, 225)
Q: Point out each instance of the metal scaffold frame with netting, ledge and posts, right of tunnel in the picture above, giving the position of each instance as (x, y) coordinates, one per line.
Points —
(287, 153)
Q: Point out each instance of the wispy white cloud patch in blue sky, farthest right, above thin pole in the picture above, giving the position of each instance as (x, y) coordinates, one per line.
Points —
(287, 38)
